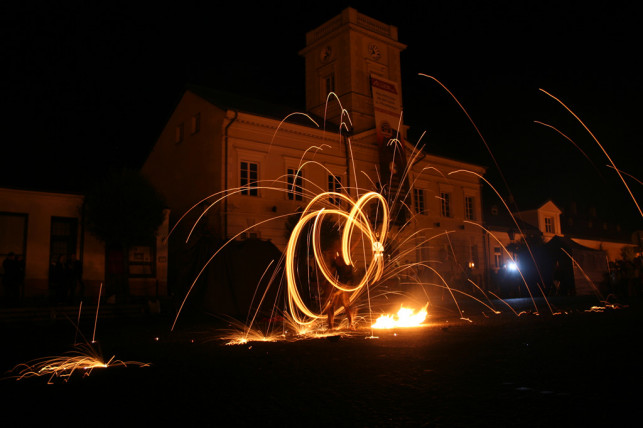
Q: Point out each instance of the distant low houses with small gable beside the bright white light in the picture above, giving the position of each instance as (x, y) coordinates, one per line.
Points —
(559, 249)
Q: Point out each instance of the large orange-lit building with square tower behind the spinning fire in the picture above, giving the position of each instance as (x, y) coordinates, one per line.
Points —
(251, 167)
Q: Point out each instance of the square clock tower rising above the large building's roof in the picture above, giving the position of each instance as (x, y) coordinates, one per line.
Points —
(343, 56)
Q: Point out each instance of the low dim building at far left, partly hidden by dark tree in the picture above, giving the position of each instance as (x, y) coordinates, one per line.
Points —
(44, 227)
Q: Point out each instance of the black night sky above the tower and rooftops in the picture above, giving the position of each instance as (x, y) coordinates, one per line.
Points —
(87, 87)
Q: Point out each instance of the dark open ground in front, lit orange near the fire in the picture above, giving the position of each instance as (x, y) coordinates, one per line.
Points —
(579, 368)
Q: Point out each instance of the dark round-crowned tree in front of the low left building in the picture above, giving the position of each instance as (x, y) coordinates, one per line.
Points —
(122, 210)
